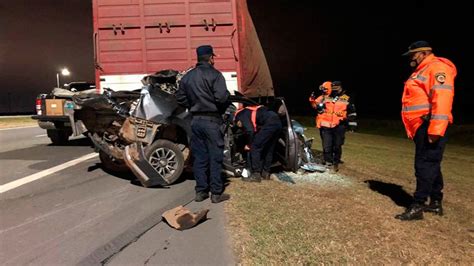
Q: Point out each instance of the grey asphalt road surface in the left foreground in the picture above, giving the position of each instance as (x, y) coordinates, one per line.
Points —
(83, 215)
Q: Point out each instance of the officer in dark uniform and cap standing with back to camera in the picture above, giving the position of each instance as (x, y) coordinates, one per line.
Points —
(204, 92)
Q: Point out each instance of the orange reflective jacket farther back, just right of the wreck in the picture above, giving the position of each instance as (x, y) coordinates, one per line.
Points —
(334, 112)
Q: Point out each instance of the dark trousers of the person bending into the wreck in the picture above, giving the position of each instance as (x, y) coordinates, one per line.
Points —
(263, 146)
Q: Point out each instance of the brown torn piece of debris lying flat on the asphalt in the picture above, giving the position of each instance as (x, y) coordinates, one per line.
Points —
(182, 218)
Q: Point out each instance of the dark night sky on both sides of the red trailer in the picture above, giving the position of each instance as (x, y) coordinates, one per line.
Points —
(356, 42)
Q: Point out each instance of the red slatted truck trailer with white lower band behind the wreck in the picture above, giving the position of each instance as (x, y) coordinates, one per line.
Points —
(134, 38)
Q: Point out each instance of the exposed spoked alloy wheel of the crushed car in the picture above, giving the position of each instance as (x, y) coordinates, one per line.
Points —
(167, 159)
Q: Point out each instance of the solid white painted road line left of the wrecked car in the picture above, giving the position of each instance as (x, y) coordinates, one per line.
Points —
(33, 177)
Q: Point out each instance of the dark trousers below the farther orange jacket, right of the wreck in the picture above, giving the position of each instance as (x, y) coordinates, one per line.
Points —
(332, 140)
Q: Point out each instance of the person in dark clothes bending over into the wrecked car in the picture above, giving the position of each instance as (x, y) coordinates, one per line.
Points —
(262, 128)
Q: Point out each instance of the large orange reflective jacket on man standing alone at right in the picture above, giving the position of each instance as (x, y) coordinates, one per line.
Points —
(428, 94)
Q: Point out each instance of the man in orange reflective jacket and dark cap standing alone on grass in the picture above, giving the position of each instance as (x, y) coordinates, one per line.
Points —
(426, 112)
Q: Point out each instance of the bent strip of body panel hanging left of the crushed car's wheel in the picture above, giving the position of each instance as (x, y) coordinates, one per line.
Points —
(134, 157)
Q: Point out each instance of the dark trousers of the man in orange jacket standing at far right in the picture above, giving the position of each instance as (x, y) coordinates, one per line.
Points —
(428, 156)
